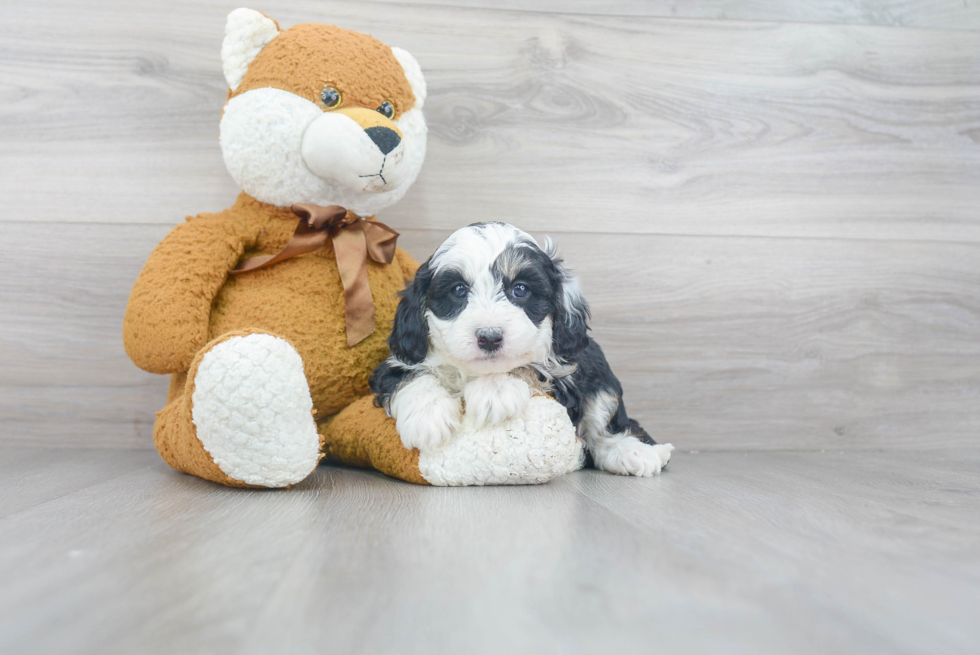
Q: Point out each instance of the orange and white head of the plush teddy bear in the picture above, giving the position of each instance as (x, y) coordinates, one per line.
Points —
(320, 114)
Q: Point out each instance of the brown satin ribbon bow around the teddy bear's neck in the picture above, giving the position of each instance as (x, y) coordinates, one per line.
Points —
(354, 240)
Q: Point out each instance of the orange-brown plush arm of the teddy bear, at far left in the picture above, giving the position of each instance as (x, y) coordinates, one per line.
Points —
(167, 317)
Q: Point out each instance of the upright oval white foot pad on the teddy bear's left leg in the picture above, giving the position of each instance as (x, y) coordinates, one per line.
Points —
(252, 409)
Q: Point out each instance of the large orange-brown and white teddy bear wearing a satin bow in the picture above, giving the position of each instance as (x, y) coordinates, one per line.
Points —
(270, 316)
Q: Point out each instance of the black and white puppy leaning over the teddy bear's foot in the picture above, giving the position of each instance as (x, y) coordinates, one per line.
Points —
(488, 319)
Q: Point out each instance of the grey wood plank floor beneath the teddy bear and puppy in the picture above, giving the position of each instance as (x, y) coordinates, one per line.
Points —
(727, 552)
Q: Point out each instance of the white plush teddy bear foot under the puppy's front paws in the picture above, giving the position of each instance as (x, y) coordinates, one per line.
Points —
(532, 448)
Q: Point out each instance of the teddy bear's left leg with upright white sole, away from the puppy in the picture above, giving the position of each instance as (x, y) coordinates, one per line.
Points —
(244, 415)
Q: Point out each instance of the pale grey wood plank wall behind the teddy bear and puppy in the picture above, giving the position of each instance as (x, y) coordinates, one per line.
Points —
(774, 207)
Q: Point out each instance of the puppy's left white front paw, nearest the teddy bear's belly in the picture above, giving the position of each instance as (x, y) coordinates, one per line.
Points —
(425, 414)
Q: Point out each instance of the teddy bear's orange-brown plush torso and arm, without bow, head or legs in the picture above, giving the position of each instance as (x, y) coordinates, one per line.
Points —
(184, 298)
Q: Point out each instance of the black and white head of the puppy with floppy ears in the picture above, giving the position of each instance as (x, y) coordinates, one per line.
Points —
(488, 301)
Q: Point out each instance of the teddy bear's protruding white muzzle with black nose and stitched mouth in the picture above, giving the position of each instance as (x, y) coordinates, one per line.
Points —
(359, 148)
